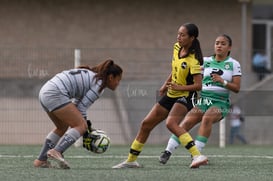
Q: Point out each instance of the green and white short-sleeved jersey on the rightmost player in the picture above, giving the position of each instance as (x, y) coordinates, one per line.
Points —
(226, 69)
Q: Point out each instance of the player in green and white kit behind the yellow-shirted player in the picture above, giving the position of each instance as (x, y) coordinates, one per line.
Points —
(221, 74)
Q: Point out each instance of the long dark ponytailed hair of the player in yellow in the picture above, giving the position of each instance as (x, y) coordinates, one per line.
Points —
(195, 47)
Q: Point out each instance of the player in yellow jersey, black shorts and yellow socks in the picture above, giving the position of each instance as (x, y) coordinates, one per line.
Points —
(176, 100)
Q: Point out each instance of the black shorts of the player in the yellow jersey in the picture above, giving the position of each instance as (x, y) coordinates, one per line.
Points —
(168, 102)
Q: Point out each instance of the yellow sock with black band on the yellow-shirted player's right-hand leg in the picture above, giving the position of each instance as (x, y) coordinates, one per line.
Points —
(187, 141)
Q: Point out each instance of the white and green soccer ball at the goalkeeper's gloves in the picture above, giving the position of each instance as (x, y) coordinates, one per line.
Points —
(102, 143)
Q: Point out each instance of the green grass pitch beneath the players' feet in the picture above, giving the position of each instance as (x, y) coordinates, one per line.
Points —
(251, 163)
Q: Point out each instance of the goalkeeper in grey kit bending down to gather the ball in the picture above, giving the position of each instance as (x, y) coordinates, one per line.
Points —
(65, 98)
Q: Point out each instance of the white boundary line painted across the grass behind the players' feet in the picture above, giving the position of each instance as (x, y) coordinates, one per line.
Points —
(143, 156)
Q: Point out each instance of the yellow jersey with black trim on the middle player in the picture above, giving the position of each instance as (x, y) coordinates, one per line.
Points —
(183, 70)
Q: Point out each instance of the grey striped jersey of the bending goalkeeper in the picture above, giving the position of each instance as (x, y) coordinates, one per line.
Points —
(79, 86)
